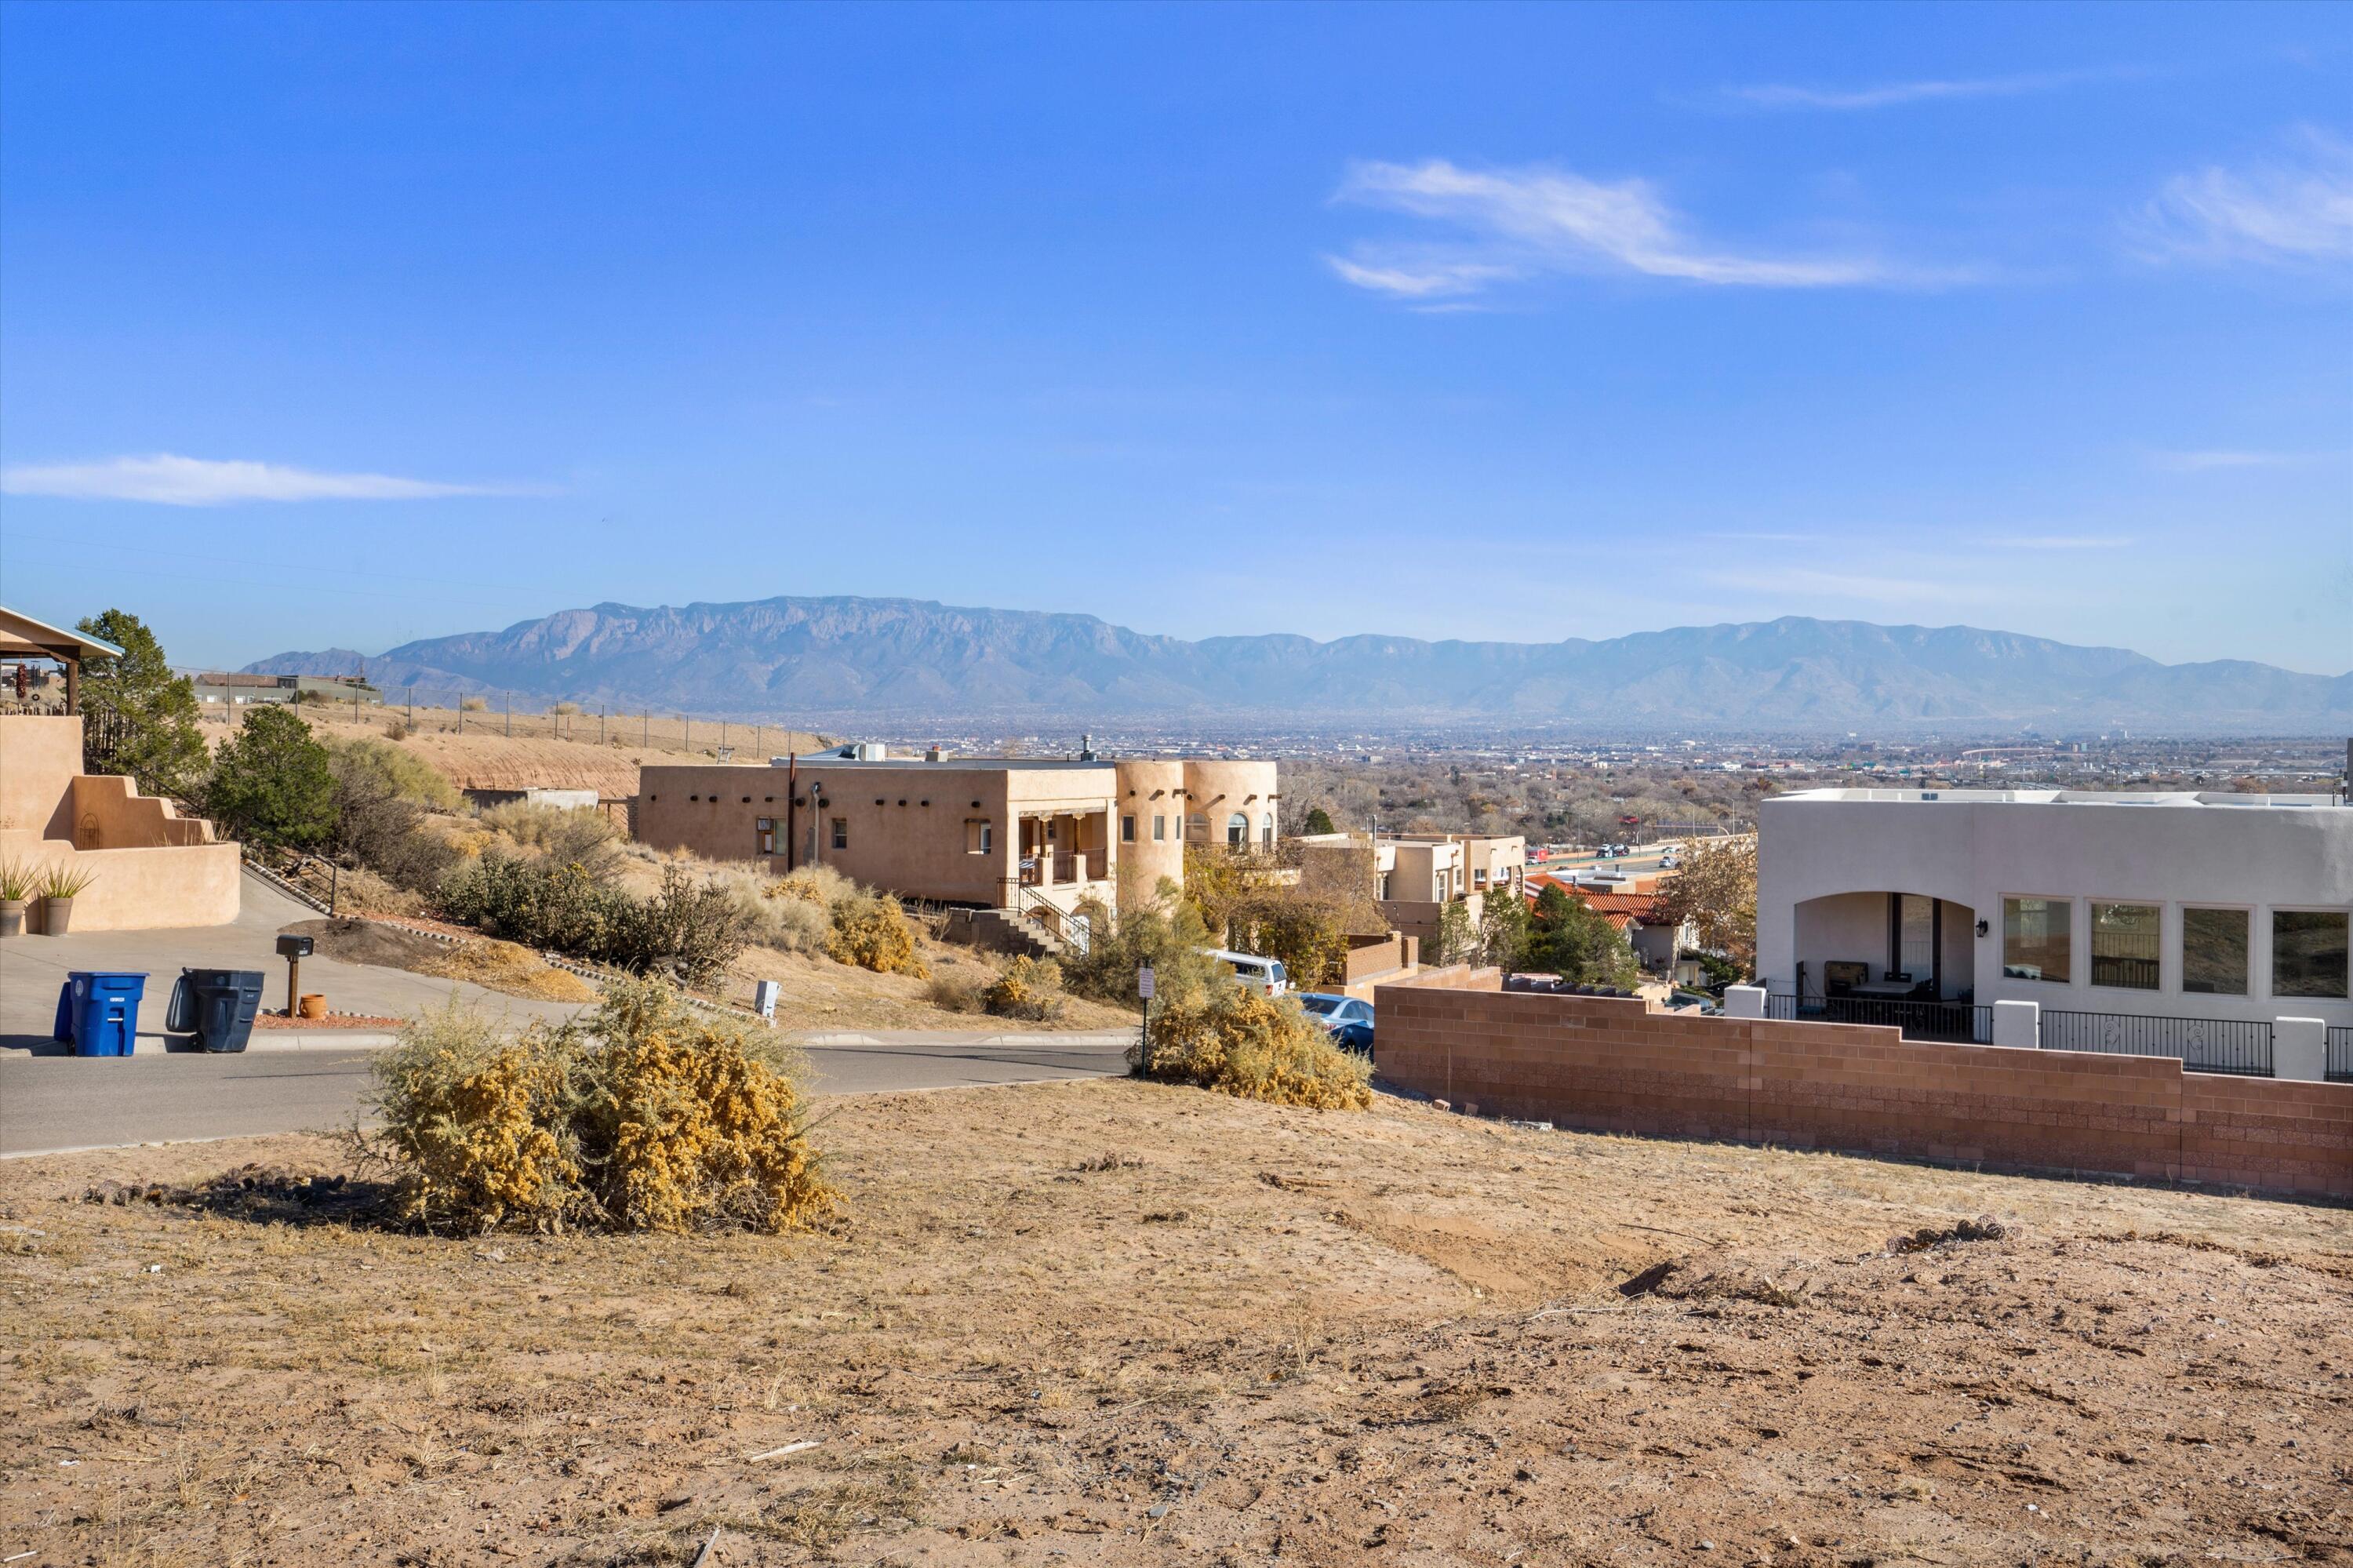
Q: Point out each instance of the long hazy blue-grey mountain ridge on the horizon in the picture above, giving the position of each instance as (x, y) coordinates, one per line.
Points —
(905, 660)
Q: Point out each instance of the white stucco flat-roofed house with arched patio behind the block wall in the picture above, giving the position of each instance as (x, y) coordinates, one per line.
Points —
(2142, 908)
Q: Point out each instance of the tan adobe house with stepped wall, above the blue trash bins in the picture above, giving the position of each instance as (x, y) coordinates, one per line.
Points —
(149, 865)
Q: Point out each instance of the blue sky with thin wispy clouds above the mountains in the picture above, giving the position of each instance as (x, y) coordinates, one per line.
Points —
(345, 326)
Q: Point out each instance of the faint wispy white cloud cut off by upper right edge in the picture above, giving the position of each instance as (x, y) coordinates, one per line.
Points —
(2291, 211)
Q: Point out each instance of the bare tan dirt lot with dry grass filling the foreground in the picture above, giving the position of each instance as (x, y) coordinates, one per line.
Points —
(1131, 1324)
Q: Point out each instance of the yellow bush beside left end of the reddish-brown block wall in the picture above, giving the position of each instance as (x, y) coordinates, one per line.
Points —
(1258, 1049)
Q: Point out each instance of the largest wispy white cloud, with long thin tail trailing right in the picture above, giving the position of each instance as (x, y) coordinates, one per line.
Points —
(1524, 222)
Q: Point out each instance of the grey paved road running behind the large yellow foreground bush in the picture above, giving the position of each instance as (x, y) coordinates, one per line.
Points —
(84, 1103)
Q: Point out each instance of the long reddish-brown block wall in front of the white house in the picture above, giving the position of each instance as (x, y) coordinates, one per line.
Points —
(1620, 1068)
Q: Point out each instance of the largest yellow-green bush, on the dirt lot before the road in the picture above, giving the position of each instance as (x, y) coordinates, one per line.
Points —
(641, 1117)
